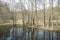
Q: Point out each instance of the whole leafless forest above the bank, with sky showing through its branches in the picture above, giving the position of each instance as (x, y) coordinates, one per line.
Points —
(34, 12)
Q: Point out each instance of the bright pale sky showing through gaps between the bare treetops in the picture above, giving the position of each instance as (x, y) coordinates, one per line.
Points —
(38, 5)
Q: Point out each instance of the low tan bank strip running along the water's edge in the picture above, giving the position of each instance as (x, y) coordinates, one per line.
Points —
(51, 28)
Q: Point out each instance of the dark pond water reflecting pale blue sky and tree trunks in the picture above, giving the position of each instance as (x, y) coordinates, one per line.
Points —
(31, 34)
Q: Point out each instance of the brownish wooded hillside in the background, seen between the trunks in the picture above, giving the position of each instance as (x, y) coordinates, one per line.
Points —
(6, 14)
